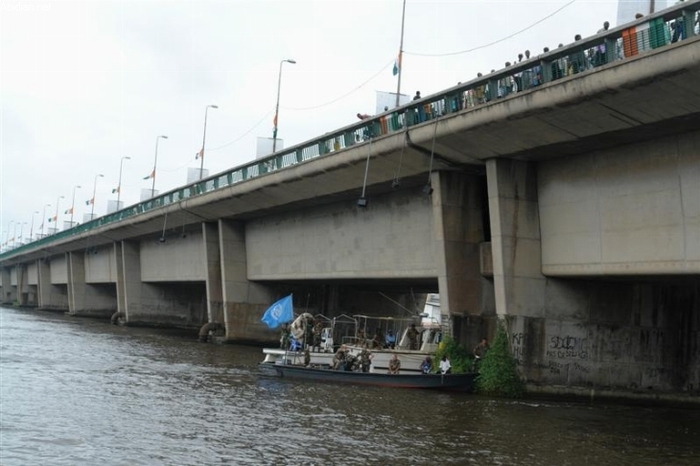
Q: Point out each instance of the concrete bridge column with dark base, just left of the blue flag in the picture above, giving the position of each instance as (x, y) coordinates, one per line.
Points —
(243, 301)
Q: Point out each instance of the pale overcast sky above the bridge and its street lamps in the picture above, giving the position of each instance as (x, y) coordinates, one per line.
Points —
(83, 84)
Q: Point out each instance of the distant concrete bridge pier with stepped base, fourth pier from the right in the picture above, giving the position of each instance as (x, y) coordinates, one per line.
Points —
(85, 299)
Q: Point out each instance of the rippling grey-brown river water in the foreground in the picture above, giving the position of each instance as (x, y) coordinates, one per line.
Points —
(82, 392)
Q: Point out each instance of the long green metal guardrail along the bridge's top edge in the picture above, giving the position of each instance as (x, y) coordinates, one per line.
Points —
(648, 33)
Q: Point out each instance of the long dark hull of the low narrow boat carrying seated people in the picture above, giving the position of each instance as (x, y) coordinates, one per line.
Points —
(453, 382)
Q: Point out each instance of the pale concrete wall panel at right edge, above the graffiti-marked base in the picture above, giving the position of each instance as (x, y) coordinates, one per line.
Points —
(630, 211)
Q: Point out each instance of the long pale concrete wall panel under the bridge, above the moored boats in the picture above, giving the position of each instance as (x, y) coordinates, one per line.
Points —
(391, 238)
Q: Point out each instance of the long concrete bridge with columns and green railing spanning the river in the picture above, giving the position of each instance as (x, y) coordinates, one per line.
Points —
(566, 205)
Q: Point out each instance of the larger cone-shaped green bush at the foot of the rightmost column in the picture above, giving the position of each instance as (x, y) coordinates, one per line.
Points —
(498, 374)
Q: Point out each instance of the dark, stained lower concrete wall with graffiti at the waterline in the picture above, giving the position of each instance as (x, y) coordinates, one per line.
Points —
(630, 336)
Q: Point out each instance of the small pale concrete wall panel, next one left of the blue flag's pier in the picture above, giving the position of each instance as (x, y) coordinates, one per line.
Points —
(180, 258)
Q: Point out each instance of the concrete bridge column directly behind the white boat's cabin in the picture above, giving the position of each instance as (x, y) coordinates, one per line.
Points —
(458, 231)
